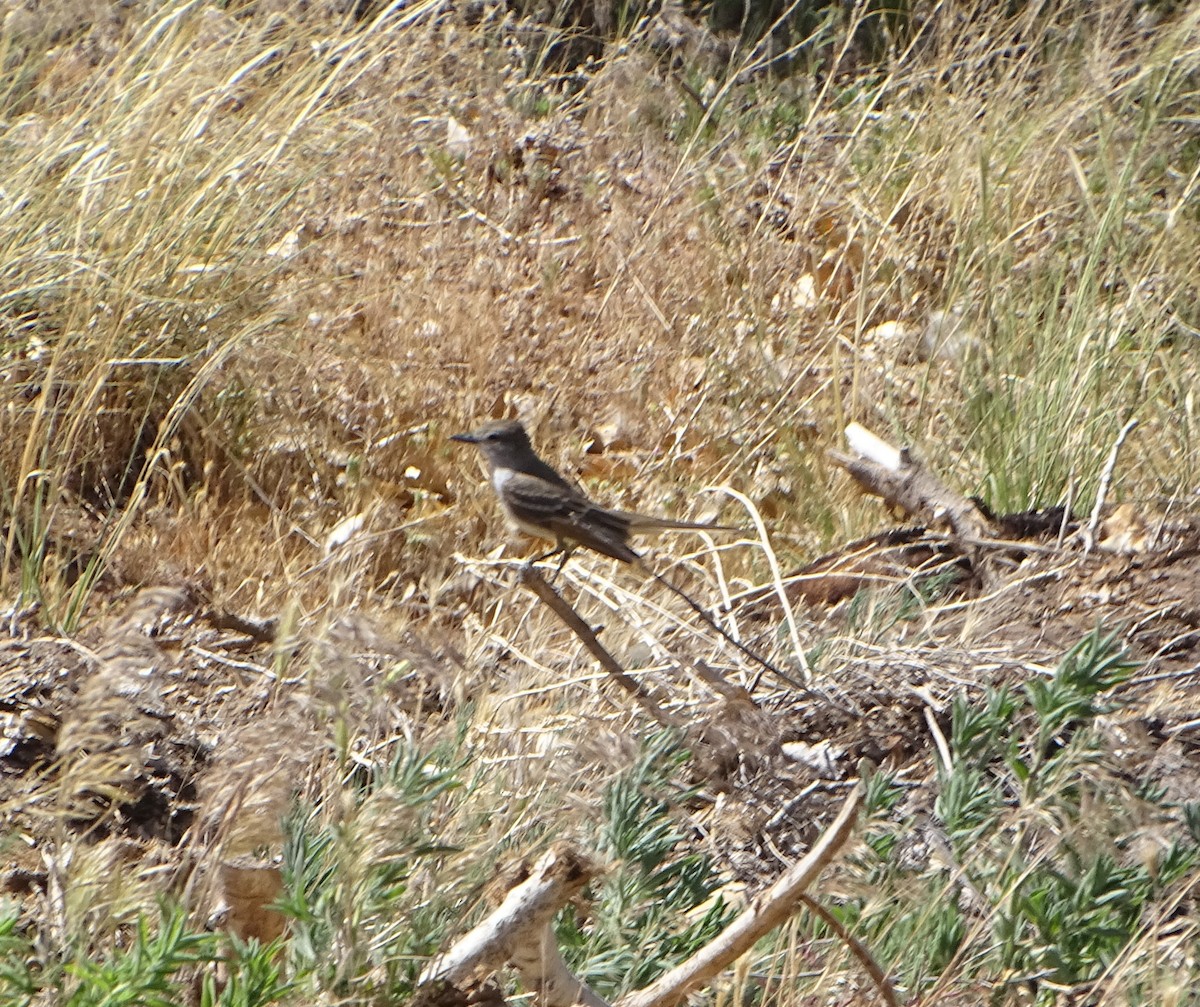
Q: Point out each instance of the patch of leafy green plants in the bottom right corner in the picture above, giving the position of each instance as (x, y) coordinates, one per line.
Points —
(1034, 831)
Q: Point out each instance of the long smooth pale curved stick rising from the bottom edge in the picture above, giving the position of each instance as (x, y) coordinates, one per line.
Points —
(770, 909)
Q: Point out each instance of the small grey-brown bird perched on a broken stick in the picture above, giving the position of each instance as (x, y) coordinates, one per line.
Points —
(542, 503)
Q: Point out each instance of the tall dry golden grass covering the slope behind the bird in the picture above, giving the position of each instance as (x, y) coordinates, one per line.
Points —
(251, 272)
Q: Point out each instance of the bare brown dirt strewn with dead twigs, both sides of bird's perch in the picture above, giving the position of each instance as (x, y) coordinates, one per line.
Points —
(129, 733)
